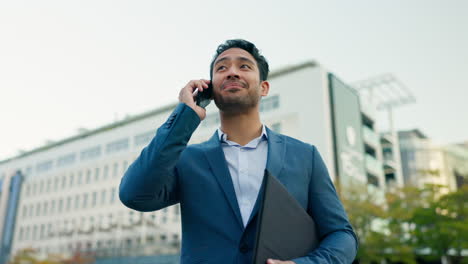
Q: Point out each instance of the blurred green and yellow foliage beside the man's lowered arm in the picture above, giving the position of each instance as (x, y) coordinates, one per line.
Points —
(409, 223)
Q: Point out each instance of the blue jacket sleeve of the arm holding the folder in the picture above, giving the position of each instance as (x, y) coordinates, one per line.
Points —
(338, 242)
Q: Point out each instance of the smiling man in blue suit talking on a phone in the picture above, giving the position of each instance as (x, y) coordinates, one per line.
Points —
(217, 182)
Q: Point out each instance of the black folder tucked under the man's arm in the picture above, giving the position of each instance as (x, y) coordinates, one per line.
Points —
(285, 231)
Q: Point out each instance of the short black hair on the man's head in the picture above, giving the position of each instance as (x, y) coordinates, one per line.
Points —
(247, 46)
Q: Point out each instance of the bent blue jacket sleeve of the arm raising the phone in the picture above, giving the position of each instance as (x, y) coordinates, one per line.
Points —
(151, 181)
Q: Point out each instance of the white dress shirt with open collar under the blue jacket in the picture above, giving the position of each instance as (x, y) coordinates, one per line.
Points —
(246, 165)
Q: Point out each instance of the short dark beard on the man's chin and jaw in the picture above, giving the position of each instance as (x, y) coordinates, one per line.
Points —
(238, 105)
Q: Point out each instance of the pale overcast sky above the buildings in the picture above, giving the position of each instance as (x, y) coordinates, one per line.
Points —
(71, 64)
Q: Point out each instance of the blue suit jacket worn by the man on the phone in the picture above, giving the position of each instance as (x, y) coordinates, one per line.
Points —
(196, 176)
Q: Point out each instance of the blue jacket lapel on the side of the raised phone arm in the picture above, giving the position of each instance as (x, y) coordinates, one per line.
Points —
(215, 156)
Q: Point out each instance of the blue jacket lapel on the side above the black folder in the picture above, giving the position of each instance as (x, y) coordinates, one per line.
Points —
(275, 159)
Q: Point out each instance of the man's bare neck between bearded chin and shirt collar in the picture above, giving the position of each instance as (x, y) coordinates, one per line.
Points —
(241, 128)
